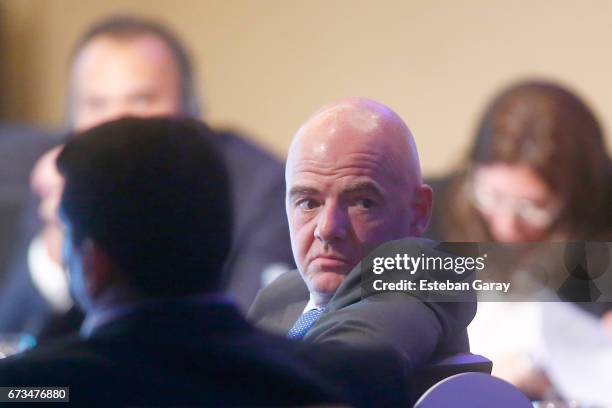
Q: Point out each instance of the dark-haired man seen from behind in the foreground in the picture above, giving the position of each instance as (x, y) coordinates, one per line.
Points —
(144, 248)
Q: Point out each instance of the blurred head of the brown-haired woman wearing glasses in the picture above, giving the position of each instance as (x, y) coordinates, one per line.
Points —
(538, 170)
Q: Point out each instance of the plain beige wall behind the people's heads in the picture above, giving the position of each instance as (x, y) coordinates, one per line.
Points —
(264, 66)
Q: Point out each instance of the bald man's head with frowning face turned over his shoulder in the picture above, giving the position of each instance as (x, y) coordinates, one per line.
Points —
(353, 183)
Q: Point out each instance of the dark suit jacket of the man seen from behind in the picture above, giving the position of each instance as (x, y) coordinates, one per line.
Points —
(184, 354)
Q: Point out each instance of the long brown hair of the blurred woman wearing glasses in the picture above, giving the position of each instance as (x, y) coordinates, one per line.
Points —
(550, 130)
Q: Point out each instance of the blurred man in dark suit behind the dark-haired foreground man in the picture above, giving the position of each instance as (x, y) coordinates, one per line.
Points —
(128, 66)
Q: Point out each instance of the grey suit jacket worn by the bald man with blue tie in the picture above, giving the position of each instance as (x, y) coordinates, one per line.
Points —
(422, 330)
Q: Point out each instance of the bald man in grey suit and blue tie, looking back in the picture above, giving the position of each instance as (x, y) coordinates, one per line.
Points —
(353, 182)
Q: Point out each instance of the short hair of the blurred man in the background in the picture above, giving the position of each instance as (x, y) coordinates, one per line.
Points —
(129, 27)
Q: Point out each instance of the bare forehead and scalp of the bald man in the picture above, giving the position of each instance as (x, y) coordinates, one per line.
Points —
(359, 129)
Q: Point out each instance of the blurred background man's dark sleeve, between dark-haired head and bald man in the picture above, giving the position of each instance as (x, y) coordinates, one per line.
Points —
(260, 230)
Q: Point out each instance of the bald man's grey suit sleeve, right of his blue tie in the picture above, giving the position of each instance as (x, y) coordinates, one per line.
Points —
(419, 328)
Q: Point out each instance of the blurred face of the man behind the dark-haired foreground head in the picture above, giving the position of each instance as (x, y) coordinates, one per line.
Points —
(113, 77)
